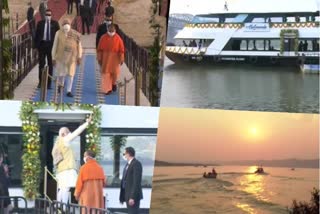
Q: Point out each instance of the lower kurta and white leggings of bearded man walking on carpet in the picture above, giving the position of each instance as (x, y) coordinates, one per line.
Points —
(64, 70)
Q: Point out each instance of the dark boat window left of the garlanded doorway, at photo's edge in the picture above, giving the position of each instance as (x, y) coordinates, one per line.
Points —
(11, 146)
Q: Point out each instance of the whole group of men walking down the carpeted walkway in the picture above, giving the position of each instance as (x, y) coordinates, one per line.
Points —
(61, 48)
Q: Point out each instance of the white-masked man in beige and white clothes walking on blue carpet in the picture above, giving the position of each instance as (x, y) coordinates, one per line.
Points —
(66, 55)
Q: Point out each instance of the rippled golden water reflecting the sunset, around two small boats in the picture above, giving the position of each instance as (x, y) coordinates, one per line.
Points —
(236, 190)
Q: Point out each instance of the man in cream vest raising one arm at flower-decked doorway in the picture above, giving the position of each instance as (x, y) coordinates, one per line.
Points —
(66, 169)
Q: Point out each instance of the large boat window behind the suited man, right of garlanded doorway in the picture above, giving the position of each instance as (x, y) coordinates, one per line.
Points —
(144, 146)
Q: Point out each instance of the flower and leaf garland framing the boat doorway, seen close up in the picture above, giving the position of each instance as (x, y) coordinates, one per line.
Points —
(31, 163)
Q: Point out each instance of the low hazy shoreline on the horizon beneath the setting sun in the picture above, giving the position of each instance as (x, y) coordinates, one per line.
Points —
(288, 163)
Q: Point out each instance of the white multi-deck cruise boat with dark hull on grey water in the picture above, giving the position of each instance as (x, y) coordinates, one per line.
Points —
(250, 31)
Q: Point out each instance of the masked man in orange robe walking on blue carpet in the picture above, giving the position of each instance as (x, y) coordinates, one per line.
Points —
(110, 54)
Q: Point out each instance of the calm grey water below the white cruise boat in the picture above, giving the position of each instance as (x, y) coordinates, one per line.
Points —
(239, 87)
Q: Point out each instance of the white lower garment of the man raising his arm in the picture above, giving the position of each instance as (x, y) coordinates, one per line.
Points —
(66, 179)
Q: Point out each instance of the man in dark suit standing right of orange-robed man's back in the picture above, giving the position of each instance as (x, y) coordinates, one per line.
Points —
(131, 190)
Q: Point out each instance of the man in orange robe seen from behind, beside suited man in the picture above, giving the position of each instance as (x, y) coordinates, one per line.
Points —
(90, 183)
